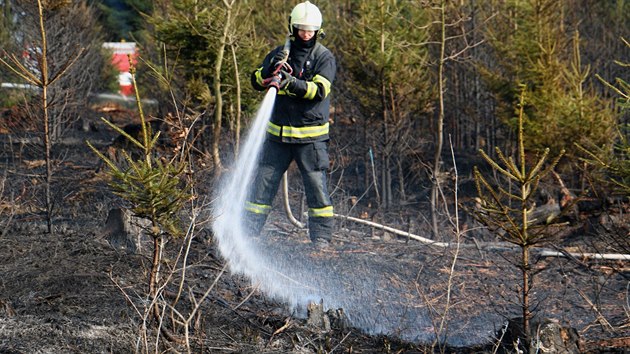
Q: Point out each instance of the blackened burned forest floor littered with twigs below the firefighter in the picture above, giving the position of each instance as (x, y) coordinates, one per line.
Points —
(72, 292)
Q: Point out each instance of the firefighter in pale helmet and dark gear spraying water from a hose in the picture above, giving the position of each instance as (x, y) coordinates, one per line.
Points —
(298, 126)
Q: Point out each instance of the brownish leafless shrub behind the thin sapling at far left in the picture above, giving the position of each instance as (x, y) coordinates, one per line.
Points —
(70, 28)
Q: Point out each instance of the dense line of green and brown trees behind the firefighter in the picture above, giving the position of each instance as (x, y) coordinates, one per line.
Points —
(414, 77)
